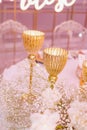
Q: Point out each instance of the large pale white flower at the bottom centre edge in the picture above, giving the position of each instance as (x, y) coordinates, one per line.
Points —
(45, 121)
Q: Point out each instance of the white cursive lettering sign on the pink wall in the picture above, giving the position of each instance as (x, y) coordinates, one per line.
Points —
(39, 4)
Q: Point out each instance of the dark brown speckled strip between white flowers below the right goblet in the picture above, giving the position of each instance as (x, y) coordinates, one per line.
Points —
(63, 105)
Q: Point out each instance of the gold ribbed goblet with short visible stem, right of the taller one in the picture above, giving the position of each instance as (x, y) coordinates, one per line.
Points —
(54, 61)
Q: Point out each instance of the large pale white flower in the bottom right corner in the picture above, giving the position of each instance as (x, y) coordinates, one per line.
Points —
(78, 115)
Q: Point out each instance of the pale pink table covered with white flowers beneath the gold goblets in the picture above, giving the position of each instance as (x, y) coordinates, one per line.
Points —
(17, 114)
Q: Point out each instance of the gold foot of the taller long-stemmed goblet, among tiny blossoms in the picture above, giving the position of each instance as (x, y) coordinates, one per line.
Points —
(29, 97)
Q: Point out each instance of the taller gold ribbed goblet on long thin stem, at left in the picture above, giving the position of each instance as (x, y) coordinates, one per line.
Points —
(33, 41)
